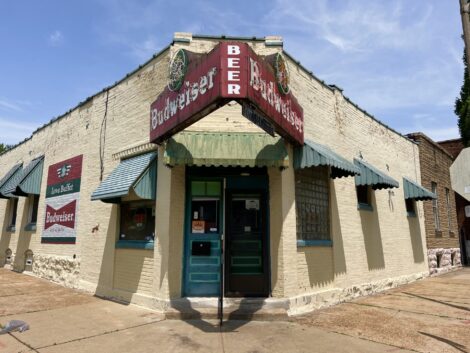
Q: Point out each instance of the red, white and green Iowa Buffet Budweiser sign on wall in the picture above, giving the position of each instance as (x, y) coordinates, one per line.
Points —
(62, 199)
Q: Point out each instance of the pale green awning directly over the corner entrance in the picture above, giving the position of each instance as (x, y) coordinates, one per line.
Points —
(226, 149)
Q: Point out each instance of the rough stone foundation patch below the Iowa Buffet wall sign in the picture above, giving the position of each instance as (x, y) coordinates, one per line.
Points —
(62, 270)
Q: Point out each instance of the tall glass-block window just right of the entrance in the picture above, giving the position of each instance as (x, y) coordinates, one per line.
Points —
(312, 203)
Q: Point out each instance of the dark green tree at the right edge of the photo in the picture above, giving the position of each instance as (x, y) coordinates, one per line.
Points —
(462, 106)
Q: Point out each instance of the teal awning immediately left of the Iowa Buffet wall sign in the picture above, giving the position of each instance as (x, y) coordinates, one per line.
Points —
(26, 182)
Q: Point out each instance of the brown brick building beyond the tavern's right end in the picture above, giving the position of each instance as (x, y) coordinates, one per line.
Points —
(440, 215)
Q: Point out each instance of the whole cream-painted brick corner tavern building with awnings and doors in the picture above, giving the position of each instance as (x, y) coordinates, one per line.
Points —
(303, 226)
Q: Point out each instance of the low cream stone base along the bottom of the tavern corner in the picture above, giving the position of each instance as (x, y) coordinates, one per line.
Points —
(256, 308)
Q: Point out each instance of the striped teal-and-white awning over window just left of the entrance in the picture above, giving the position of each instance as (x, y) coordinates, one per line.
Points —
(138, 173)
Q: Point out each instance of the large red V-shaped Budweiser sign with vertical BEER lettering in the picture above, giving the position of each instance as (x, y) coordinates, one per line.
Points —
(199, 84)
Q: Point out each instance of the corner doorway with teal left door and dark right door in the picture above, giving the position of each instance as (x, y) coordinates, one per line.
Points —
(230, 204)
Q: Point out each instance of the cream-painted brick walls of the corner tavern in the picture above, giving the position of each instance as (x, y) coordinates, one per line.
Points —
(394, 248)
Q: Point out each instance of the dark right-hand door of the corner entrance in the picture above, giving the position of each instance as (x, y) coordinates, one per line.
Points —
(246, 265)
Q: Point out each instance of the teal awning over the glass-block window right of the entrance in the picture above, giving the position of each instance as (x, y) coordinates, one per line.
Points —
(313, 154)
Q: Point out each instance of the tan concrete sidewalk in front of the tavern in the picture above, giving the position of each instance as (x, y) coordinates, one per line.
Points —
(432, 315)
